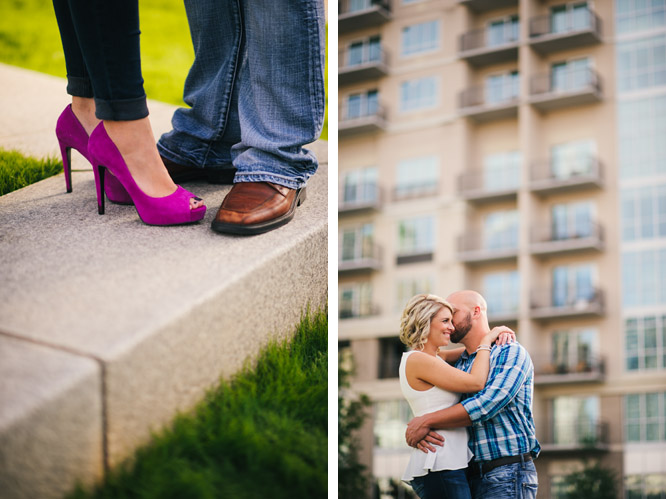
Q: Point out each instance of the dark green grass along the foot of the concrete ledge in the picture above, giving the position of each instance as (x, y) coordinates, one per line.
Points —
(261, 434)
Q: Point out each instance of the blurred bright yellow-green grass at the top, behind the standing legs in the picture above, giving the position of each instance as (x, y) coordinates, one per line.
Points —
(29, 38)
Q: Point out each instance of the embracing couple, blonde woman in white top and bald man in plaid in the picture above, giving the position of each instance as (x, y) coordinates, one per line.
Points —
(482, 443)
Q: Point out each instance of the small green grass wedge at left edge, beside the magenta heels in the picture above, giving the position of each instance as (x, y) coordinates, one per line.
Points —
(17, 171)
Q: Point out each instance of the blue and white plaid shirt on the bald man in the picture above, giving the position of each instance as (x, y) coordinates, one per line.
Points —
(501, 413)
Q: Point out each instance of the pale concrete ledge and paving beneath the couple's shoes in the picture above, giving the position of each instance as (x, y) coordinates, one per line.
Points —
(131, 322)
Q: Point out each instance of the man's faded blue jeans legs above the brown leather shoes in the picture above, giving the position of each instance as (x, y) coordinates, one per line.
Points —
(256, 89)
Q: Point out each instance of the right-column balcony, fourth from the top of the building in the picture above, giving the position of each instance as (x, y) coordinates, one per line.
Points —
(548, 241)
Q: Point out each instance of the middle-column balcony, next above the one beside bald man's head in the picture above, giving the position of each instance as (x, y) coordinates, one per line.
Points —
(478, 248)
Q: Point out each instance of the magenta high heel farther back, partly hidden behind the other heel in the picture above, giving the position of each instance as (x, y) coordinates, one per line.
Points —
(72, 135)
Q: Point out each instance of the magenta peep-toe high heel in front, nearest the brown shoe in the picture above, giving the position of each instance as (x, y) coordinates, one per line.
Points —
(173, 209)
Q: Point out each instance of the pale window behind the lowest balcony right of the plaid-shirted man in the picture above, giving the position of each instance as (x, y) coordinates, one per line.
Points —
(575, 420)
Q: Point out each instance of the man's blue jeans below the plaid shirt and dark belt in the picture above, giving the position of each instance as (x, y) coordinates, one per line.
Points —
(518, 480)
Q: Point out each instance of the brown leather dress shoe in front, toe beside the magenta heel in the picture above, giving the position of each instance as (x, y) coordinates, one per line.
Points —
(257, 207)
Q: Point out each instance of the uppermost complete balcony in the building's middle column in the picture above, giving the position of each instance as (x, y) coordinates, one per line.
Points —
(481, 47)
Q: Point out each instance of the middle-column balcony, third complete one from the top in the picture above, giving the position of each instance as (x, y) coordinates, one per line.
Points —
(482, 187)
